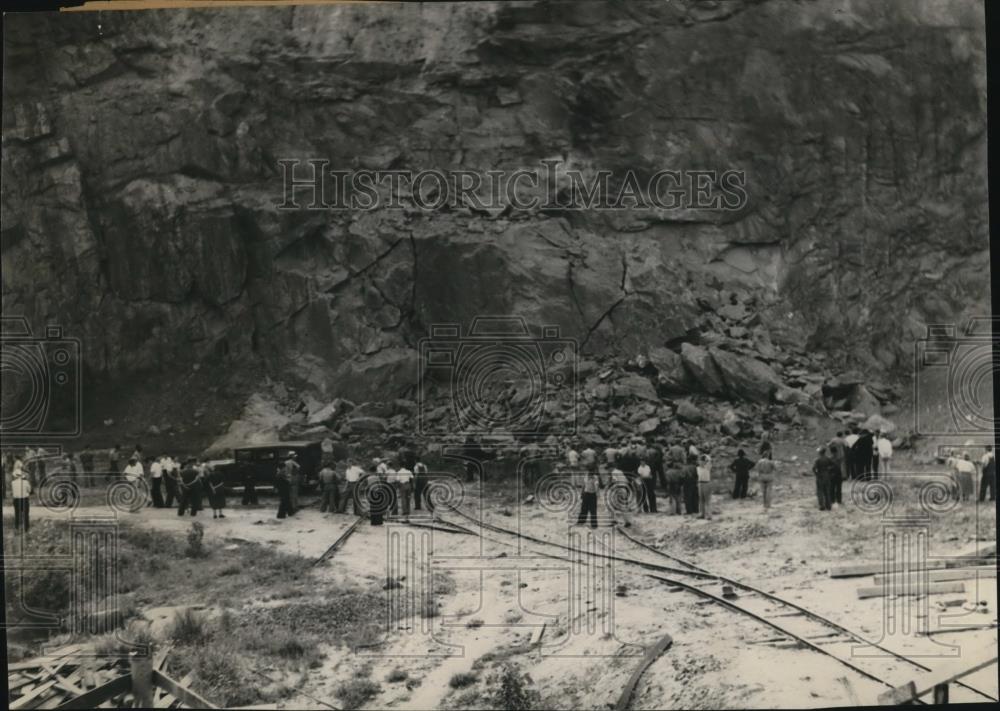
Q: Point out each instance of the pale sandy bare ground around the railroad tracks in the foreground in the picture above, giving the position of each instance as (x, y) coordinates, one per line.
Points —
(458, 608)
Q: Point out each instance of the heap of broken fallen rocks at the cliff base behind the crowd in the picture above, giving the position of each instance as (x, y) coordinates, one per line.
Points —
(724, 382)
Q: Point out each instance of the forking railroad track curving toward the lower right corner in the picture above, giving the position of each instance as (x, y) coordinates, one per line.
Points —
(810, 629)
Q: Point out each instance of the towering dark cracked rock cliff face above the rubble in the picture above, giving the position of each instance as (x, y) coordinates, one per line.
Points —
(140, 171)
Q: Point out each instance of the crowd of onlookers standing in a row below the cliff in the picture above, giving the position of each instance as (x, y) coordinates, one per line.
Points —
(682, 473)
